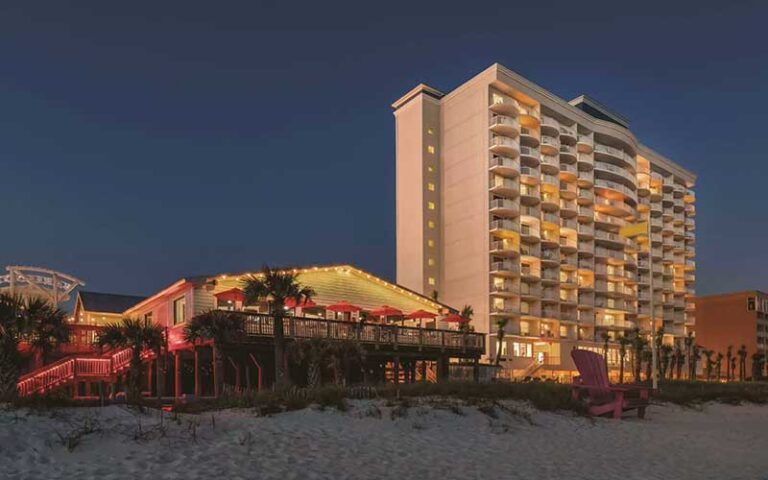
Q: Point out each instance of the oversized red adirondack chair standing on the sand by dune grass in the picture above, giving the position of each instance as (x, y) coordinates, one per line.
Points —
(602, 397)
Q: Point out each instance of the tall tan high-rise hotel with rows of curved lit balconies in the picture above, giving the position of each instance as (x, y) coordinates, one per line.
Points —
(510, 199)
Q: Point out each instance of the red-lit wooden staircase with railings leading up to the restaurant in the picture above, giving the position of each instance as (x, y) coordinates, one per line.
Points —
(76, 367)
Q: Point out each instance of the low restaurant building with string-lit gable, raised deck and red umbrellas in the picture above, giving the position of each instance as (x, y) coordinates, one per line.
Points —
(406, 336)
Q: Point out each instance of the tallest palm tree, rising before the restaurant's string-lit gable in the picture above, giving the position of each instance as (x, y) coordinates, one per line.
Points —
(277, 287)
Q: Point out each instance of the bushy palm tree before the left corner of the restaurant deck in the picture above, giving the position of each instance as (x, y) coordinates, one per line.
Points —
(222, 328)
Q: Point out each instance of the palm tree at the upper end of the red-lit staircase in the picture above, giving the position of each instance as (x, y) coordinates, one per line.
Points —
(138, 335)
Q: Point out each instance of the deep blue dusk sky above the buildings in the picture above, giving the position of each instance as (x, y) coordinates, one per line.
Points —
(141, 142)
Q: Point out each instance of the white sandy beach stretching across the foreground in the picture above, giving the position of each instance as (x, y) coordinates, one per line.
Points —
(720, 442)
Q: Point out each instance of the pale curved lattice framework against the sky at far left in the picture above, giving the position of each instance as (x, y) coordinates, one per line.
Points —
(27, 281)
